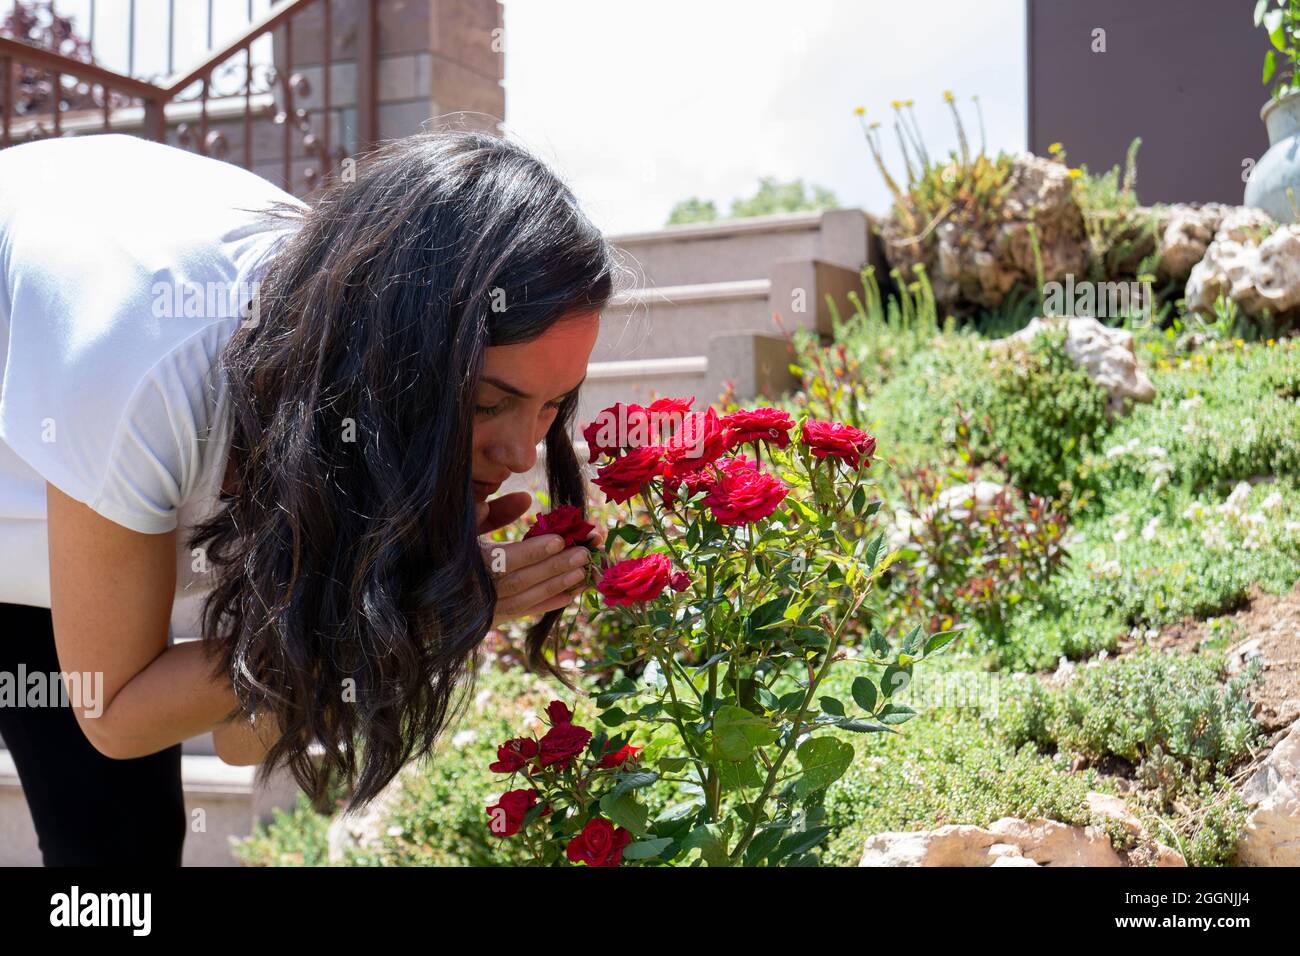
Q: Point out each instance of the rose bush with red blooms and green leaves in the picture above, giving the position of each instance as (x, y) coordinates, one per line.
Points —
(739, 592)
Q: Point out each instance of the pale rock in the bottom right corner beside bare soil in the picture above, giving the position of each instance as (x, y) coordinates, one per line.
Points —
(1272, 834)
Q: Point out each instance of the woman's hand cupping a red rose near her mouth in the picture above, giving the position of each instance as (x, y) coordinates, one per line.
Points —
(536, 576)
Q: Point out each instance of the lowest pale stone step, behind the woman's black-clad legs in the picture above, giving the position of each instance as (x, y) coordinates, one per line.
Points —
(222, 802)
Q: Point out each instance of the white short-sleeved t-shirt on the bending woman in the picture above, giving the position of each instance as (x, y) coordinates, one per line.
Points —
(124, 270)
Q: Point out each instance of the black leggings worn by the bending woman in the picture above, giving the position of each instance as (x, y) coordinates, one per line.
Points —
(89, 810)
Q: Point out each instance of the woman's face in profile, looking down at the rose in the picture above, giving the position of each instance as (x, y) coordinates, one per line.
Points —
(519, 396)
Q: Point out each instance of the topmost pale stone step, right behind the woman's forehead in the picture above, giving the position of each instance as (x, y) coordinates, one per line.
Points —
(743, 249)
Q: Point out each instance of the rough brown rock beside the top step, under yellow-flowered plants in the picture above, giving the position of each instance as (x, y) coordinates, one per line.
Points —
(973, 262)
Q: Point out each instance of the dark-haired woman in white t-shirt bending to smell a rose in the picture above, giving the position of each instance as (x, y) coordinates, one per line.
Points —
(231, 417)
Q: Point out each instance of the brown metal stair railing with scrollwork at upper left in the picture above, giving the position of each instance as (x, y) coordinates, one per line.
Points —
(102, 101)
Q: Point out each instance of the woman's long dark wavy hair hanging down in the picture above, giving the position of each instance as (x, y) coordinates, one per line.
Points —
(352, 595)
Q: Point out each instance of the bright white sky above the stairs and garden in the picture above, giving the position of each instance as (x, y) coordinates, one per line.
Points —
(642, 105)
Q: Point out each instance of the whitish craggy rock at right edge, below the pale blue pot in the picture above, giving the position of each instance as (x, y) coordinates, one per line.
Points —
(1259, 276)
